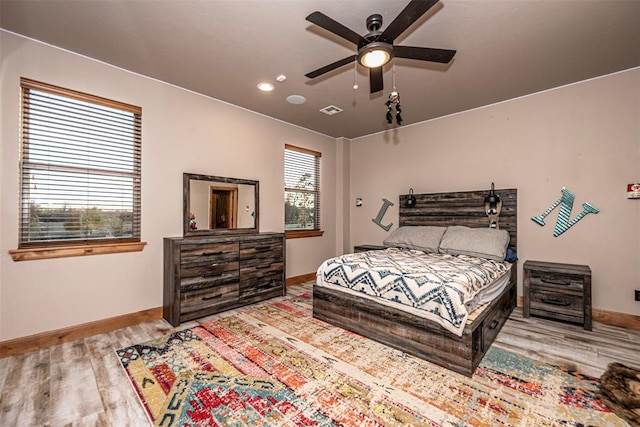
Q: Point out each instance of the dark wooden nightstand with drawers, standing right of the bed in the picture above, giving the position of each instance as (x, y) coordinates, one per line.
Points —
(557, 291)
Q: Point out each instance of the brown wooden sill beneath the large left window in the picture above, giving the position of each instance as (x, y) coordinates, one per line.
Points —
(70, 251)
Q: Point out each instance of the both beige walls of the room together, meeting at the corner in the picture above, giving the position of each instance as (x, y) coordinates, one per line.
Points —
(585, 137)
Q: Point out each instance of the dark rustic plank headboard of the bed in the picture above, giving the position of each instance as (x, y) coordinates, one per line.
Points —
(461, 208)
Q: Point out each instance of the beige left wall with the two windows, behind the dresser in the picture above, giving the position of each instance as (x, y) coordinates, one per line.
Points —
(182, 132)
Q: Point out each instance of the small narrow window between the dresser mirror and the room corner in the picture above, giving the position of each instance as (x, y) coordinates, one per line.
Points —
(301, 192)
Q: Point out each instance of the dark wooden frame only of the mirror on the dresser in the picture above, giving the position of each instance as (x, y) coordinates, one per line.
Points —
(186, 204)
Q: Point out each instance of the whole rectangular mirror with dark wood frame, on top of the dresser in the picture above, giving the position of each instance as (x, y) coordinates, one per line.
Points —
(219, 205)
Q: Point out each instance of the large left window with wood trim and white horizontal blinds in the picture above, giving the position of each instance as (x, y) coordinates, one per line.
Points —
(79, 169)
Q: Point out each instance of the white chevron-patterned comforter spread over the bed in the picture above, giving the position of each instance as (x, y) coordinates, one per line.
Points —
(435, 286)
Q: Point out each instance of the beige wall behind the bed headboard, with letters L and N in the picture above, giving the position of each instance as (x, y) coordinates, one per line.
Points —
(585, 137)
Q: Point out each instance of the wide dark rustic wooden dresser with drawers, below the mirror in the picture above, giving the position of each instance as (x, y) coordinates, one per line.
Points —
(206, 275)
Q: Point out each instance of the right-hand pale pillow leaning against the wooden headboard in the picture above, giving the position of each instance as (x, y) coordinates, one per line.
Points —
(487, 243)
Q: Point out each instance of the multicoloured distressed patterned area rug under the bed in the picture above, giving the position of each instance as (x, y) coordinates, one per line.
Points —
(274, 365)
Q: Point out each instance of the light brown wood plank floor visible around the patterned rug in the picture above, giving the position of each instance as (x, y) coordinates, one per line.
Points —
(81, 383)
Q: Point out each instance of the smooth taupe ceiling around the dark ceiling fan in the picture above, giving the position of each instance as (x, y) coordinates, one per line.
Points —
(224, 48)
